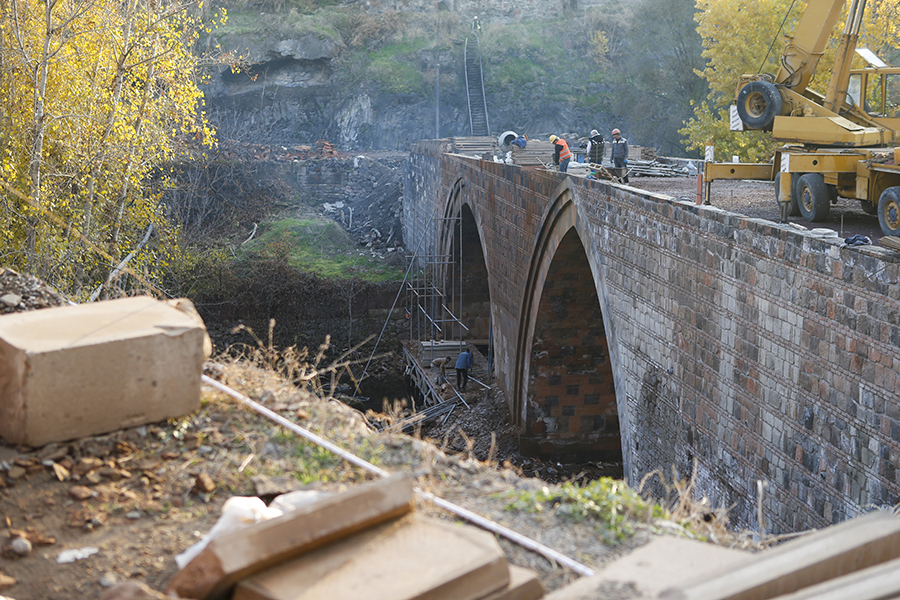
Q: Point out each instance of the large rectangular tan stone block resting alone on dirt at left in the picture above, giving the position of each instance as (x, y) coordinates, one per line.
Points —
(83, 370)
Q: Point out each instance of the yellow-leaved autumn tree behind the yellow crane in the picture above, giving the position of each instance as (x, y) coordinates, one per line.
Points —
(748, 36)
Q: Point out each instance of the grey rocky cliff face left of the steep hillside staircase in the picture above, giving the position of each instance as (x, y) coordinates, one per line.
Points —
(294, 92)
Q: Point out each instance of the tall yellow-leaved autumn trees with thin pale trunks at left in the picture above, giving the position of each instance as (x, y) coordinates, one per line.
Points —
(96, 97)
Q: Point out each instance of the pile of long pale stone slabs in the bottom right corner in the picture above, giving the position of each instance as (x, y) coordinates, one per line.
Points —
(855, 559)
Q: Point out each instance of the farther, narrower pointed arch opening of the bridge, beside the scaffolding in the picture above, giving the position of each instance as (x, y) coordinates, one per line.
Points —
(465, 275)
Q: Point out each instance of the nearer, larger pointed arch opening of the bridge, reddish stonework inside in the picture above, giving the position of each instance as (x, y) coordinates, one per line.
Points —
(564, 388)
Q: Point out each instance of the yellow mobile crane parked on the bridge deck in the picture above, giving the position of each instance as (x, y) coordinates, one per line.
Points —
(839, 144)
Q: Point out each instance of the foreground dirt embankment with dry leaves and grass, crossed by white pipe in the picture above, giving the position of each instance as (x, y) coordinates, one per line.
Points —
(126, 503)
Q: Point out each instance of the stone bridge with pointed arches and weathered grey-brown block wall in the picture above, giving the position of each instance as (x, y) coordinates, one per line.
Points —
(673, 335)
